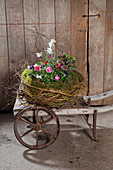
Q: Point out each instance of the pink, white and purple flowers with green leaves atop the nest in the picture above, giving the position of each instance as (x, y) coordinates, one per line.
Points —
(50, 68)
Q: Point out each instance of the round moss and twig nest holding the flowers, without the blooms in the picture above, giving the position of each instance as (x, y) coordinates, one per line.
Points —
(55, 95)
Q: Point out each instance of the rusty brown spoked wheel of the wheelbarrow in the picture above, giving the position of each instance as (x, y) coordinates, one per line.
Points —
(43, 130)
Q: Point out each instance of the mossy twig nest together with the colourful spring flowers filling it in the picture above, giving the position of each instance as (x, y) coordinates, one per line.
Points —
(53, 80)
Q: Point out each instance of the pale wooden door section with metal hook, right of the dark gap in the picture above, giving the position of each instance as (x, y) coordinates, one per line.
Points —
(100, 48)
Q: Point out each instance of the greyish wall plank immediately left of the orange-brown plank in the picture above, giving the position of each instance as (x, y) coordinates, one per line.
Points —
(63, 26)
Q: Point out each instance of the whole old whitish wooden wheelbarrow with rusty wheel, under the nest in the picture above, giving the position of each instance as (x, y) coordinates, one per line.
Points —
(38, 127)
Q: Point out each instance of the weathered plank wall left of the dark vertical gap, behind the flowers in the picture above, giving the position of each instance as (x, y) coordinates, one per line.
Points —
(58, 19)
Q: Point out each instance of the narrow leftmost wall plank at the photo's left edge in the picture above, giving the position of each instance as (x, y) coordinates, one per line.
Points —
(3, 55)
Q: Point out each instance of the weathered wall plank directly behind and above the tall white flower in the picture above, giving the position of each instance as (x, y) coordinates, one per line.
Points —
(47, 22)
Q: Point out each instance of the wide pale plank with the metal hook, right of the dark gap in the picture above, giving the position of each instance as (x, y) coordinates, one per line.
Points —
(96, 47)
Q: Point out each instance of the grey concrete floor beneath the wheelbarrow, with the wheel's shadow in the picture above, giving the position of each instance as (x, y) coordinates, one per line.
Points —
(73, 149)
